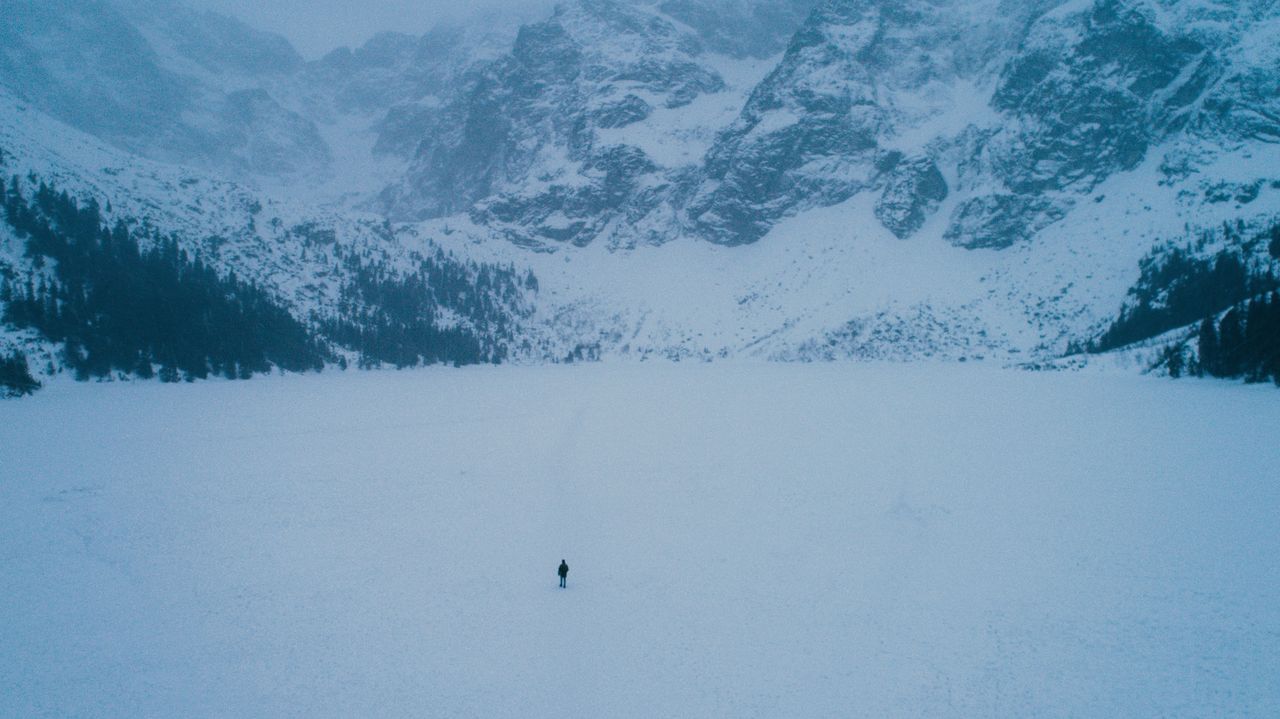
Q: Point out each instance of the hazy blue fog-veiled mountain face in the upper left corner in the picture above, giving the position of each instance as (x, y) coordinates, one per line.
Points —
(161, 81)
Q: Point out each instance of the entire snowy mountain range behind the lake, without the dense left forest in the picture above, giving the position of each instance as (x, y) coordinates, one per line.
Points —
(687, 178)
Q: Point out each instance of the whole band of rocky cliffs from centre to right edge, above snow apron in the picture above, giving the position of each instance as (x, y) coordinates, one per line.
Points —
(1013, 111)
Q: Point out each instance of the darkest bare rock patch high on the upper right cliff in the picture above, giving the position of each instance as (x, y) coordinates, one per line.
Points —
(1092, 91)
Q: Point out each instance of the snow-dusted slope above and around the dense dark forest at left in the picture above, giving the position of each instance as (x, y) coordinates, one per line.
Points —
(330, 271)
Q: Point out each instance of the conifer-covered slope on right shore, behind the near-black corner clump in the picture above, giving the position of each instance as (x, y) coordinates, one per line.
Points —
(1181, 287)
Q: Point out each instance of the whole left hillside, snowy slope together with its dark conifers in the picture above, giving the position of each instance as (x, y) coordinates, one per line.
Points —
(95, 239)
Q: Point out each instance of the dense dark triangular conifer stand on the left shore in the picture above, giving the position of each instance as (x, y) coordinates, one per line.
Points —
(120, 308)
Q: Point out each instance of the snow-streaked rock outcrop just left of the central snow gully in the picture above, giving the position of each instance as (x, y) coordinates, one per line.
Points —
(520, 145)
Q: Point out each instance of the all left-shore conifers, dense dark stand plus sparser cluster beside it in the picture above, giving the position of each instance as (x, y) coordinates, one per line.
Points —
(131, 301)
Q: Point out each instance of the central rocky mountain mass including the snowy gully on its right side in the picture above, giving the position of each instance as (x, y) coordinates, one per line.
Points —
(556, 141)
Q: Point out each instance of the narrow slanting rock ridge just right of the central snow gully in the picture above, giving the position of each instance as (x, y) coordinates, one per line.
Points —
(807, 138)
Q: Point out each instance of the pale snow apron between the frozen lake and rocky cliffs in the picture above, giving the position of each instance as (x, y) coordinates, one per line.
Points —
(835, 283)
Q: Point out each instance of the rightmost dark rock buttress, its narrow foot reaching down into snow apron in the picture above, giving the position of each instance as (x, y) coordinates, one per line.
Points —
(1092, 90)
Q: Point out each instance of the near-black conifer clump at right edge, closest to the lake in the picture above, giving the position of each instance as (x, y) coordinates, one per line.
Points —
(1245, 344)
